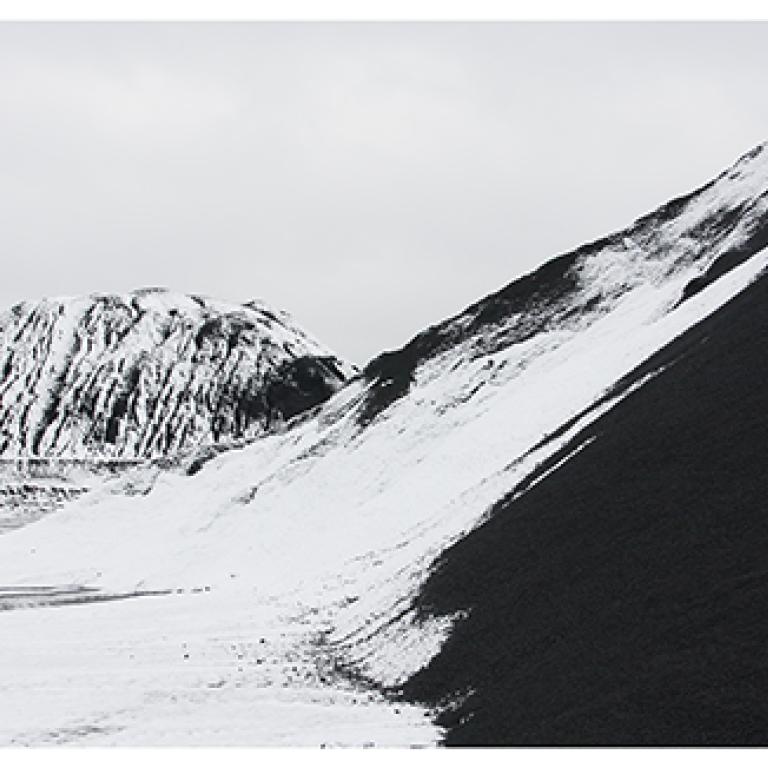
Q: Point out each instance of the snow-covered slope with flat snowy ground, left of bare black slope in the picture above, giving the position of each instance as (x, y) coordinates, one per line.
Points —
(274, 594)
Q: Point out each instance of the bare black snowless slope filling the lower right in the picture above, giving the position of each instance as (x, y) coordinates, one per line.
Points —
(623, 598)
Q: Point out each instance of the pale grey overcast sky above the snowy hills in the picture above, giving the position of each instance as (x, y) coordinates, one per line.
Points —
(370, 178)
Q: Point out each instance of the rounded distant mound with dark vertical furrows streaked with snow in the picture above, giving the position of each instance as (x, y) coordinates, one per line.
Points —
(151, 374)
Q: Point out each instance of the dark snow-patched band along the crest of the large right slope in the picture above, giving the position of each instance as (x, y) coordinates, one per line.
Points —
(731, 220)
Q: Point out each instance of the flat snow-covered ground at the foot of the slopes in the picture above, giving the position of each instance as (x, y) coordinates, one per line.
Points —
(202, 668)
